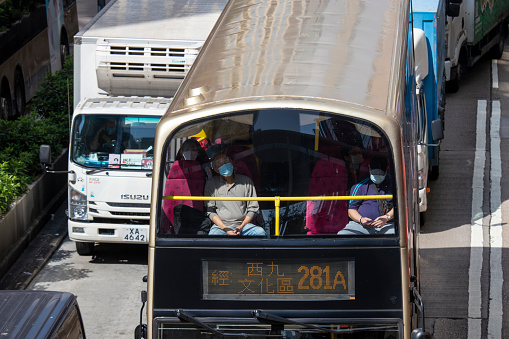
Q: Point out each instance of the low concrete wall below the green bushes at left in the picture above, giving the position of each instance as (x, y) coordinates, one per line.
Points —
(29, 214)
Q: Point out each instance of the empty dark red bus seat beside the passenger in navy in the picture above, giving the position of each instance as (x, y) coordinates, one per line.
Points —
(329, 178)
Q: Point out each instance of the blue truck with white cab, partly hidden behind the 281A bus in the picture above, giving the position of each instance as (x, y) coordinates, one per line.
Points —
(429, 17)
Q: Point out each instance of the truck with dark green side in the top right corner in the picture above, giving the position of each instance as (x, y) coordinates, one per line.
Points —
(479, 27)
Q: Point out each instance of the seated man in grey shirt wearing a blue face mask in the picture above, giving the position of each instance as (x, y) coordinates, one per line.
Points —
(231, 217)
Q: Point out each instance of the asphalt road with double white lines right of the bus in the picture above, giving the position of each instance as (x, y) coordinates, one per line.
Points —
(463, 243)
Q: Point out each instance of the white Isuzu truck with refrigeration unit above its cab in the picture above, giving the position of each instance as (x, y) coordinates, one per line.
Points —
(128, 62)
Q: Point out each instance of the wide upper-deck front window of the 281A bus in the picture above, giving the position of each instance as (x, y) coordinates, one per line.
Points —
(315, 167)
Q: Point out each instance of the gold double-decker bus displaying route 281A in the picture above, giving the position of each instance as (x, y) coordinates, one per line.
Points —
(302, 96)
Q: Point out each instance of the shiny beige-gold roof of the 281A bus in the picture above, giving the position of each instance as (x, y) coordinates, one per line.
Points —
(342, 50)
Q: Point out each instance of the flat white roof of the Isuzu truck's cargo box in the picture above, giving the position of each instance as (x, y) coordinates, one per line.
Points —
(155, 19)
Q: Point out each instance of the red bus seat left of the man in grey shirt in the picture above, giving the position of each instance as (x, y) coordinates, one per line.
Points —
(186, 178)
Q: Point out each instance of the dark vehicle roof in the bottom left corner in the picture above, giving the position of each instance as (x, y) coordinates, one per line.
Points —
(32, 314)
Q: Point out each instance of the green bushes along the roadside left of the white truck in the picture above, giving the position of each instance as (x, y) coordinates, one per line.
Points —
(46, 123)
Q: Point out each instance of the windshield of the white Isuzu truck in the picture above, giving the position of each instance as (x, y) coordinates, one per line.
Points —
(113, 141)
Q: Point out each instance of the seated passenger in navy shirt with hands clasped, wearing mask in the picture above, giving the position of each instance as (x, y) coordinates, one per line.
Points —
(371, 216)
